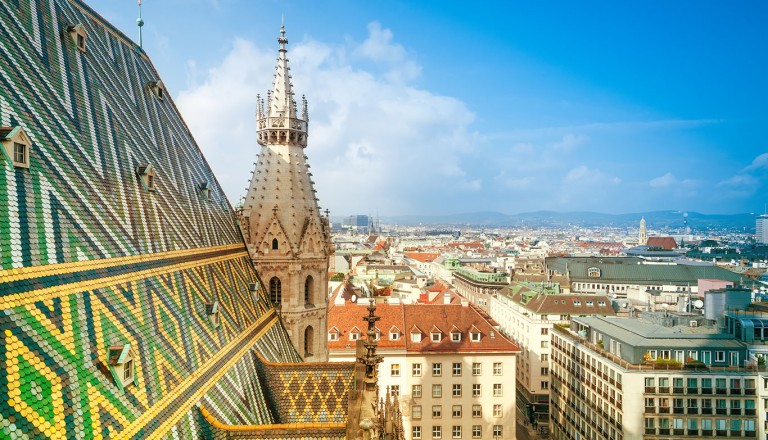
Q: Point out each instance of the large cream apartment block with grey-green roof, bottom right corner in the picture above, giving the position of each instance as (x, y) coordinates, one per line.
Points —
(631, 378)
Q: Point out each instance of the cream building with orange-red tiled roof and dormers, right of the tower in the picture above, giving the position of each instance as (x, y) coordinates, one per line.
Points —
(450, 367)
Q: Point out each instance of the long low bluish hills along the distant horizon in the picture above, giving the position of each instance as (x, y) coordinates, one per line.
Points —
(656, 220)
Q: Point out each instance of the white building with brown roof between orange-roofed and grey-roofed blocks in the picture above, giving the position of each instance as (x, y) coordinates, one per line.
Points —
(526, 313)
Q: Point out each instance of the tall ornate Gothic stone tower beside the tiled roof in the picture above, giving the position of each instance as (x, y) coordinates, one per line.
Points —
(288, 239)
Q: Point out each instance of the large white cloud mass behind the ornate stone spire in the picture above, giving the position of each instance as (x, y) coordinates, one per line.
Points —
(375, 137)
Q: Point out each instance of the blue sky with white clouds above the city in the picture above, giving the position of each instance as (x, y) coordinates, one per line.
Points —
(440, 107)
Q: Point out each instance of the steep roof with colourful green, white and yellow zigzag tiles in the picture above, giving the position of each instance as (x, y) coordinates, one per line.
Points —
(90, 258)
